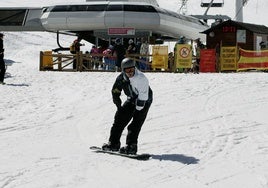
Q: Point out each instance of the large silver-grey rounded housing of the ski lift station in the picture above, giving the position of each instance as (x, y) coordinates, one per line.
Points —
(98, 21)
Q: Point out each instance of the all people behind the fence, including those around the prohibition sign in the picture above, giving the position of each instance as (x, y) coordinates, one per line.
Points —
(110, 58)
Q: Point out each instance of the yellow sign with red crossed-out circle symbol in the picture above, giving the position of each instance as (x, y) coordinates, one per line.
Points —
(183, 56)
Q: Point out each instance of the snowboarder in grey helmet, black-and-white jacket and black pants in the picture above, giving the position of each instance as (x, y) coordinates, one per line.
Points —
(139, 98)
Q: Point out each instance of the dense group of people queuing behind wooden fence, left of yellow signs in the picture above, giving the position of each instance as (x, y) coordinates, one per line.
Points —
(110, 58)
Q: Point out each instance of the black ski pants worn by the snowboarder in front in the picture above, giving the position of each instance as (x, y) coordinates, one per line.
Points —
(122, 117)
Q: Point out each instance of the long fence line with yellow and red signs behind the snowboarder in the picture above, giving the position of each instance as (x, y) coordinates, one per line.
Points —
(160, 60)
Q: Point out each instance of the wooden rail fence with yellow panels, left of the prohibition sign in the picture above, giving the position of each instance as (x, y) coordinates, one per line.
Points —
(96, 62)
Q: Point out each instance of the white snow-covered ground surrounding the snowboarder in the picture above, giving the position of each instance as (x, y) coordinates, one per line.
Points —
(203, 130)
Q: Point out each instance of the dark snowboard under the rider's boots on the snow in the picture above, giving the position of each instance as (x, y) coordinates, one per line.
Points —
(143, 156)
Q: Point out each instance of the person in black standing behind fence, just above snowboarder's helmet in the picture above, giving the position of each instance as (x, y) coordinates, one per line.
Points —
(119, 51)
